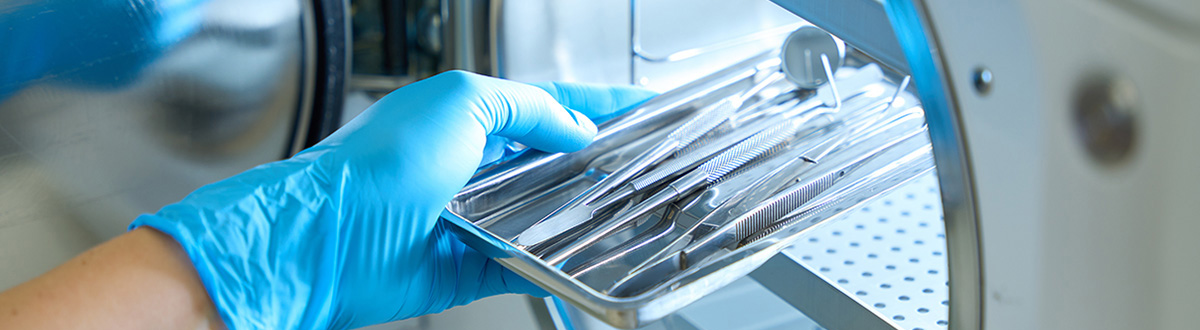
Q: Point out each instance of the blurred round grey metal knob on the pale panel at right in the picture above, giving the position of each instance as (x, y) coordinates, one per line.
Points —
(1106, 118)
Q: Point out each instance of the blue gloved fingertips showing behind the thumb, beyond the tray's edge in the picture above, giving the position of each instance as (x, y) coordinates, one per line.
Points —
(598, 103)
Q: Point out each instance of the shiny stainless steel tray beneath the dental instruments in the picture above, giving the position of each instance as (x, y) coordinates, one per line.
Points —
(503, 201)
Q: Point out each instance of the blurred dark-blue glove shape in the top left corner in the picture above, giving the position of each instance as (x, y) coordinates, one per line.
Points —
(91, 45)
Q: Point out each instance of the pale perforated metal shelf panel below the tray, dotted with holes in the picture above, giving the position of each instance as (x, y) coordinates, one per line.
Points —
(890, 256)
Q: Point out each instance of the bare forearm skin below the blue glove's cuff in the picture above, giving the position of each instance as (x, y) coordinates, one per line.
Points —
(141, 280)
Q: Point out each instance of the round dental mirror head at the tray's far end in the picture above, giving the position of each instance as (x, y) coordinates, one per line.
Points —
(802, 57)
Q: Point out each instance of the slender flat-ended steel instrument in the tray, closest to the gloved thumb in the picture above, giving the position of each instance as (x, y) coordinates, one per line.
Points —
(577, 213)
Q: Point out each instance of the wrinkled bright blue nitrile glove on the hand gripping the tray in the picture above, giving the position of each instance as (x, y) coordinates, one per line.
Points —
(346, 235)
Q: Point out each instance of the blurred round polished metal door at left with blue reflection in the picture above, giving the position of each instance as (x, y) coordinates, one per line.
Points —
(115, 109)
